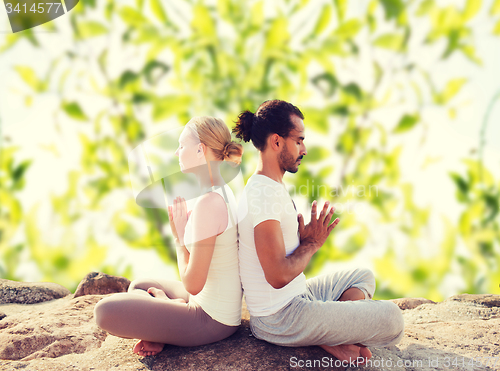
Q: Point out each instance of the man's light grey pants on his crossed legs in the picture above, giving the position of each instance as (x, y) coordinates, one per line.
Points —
(317, 318)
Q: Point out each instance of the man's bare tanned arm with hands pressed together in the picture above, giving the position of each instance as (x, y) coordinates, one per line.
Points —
(280, 269)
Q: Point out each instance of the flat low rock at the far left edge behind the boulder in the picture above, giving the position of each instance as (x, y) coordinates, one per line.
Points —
(30, 292)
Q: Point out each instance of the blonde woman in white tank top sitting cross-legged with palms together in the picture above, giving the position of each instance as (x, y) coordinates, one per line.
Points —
(206, 305)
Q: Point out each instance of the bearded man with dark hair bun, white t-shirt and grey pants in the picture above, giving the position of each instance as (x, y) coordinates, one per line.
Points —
(332, 311)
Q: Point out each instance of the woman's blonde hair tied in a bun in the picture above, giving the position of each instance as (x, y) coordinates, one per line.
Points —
(214, 133)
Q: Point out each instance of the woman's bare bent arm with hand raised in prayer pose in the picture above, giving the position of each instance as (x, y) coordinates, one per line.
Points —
(209, 220)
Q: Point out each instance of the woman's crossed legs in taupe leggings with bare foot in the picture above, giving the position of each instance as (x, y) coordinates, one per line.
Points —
(157, 313)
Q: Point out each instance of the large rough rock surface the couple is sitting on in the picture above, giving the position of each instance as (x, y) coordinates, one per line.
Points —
(457, 334)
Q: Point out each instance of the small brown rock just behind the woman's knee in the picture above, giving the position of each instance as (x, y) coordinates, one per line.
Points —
(97, 283)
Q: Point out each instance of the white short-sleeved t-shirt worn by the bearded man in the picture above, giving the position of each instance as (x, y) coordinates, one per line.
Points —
(265, 199)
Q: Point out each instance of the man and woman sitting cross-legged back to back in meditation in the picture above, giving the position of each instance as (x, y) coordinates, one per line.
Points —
(333, 311)
